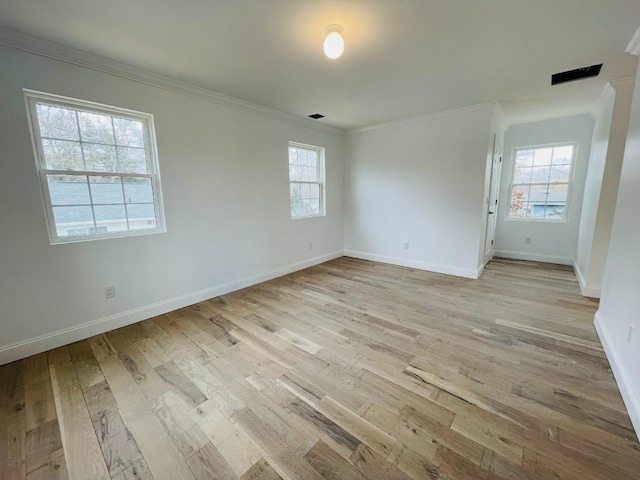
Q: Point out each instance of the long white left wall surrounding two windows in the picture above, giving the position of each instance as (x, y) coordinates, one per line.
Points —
(226, 195)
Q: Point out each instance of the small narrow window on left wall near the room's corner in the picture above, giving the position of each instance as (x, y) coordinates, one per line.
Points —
(306, 180)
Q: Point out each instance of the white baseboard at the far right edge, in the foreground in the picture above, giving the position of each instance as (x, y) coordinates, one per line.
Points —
(630, 395)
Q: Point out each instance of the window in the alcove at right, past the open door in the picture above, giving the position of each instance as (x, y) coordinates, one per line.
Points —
(540, 183)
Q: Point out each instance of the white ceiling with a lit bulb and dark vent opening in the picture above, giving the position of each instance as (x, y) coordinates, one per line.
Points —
(402, 57)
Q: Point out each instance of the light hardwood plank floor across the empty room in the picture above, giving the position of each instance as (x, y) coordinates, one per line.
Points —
(347, 370)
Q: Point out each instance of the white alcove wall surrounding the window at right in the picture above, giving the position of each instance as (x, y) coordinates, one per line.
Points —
(554, 242)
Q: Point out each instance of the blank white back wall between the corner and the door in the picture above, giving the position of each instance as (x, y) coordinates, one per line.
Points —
(419, 181)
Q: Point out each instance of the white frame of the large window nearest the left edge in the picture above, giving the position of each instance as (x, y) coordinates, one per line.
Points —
(32, 99)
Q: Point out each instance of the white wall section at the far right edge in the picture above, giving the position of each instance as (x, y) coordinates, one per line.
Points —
(620, 301)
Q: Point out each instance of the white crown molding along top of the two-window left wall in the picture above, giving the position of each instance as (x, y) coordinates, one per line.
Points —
(54, 51)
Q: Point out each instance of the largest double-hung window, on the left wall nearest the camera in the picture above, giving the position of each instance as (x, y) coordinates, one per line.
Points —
(98, 169)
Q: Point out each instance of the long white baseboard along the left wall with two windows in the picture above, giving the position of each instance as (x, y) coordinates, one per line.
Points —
(32, 346)
